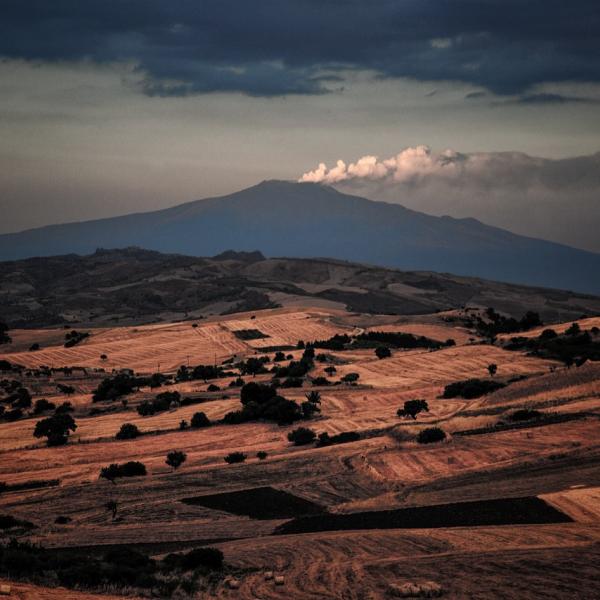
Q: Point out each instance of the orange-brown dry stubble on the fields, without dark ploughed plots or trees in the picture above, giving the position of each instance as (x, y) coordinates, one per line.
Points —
(383, 470)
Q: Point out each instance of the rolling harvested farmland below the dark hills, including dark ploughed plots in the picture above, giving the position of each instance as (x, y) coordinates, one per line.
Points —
(312, 520)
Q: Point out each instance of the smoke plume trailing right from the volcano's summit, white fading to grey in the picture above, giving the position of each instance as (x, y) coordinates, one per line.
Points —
(551, 199)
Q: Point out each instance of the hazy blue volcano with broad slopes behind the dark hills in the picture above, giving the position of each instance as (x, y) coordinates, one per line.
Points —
(310, 220)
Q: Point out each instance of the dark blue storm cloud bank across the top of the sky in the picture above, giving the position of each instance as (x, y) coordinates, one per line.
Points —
(274, 47)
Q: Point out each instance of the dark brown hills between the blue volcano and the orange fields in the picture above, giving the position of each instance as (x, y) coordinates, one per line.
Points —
(138, 286)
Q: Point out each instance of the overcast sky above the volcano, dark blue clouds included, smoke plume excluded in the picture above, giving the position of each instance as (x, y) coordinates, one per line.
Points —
(132, 105)
